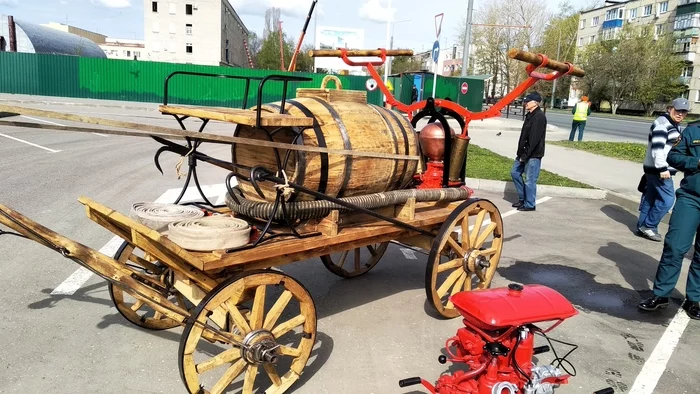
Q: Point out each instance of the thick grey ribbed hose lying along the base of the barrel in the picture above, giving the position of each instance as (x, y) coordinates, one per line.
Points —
(317, 209)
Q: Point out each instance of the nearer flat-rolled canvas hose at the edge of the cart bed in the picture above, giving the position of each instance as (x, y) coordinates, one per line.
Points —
(209, 233)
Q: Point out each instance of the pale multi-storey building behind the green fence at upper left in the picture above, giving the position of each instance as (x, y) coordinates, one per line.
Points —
(207, 32)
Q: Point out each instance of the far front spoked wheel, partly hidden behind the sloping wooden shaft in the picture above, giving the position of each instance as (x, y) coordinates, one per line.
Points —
(136, 310)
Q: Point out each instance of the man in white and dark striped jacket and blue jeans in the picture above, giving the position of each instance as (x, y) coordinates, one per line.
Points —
(658, 197)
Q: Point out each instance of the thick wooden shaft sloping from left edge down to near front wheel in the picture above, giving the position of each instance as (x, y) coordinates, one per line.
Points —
(103, 266)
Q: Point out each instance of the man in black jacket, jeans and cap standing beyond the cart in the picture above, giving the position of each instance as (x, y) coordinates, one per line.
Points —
(530, 153)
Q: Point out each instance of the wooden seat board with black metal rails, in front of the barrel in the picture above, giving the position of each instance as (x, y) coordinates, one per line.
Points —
(238, 116)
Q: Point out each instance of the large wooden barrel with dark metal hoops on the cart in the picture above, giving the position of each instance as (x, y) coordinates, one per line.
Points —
(347, 125)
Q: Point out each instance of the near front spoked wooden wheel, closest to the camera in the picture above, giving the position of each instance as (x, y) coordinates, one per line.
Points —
(244, 346)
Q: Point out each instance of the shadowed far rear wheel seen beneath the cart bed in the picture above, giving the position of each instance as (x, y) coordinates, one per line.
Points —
(361, 260)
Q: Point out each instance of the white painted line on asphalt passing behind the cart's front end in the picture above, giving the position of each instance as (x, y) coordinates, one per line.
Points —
(78, 278)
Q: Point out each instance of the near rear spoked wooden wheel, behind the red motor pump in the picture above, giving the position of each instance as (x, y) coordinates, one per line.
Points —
(465, 253)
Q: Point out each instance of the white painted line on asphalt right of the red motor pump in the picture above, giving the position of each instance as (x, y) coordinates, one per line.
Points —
(655, 365)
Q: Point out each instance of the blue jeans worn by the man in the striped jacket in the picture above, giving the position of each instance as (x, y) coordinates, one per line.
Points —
(657, 200)
